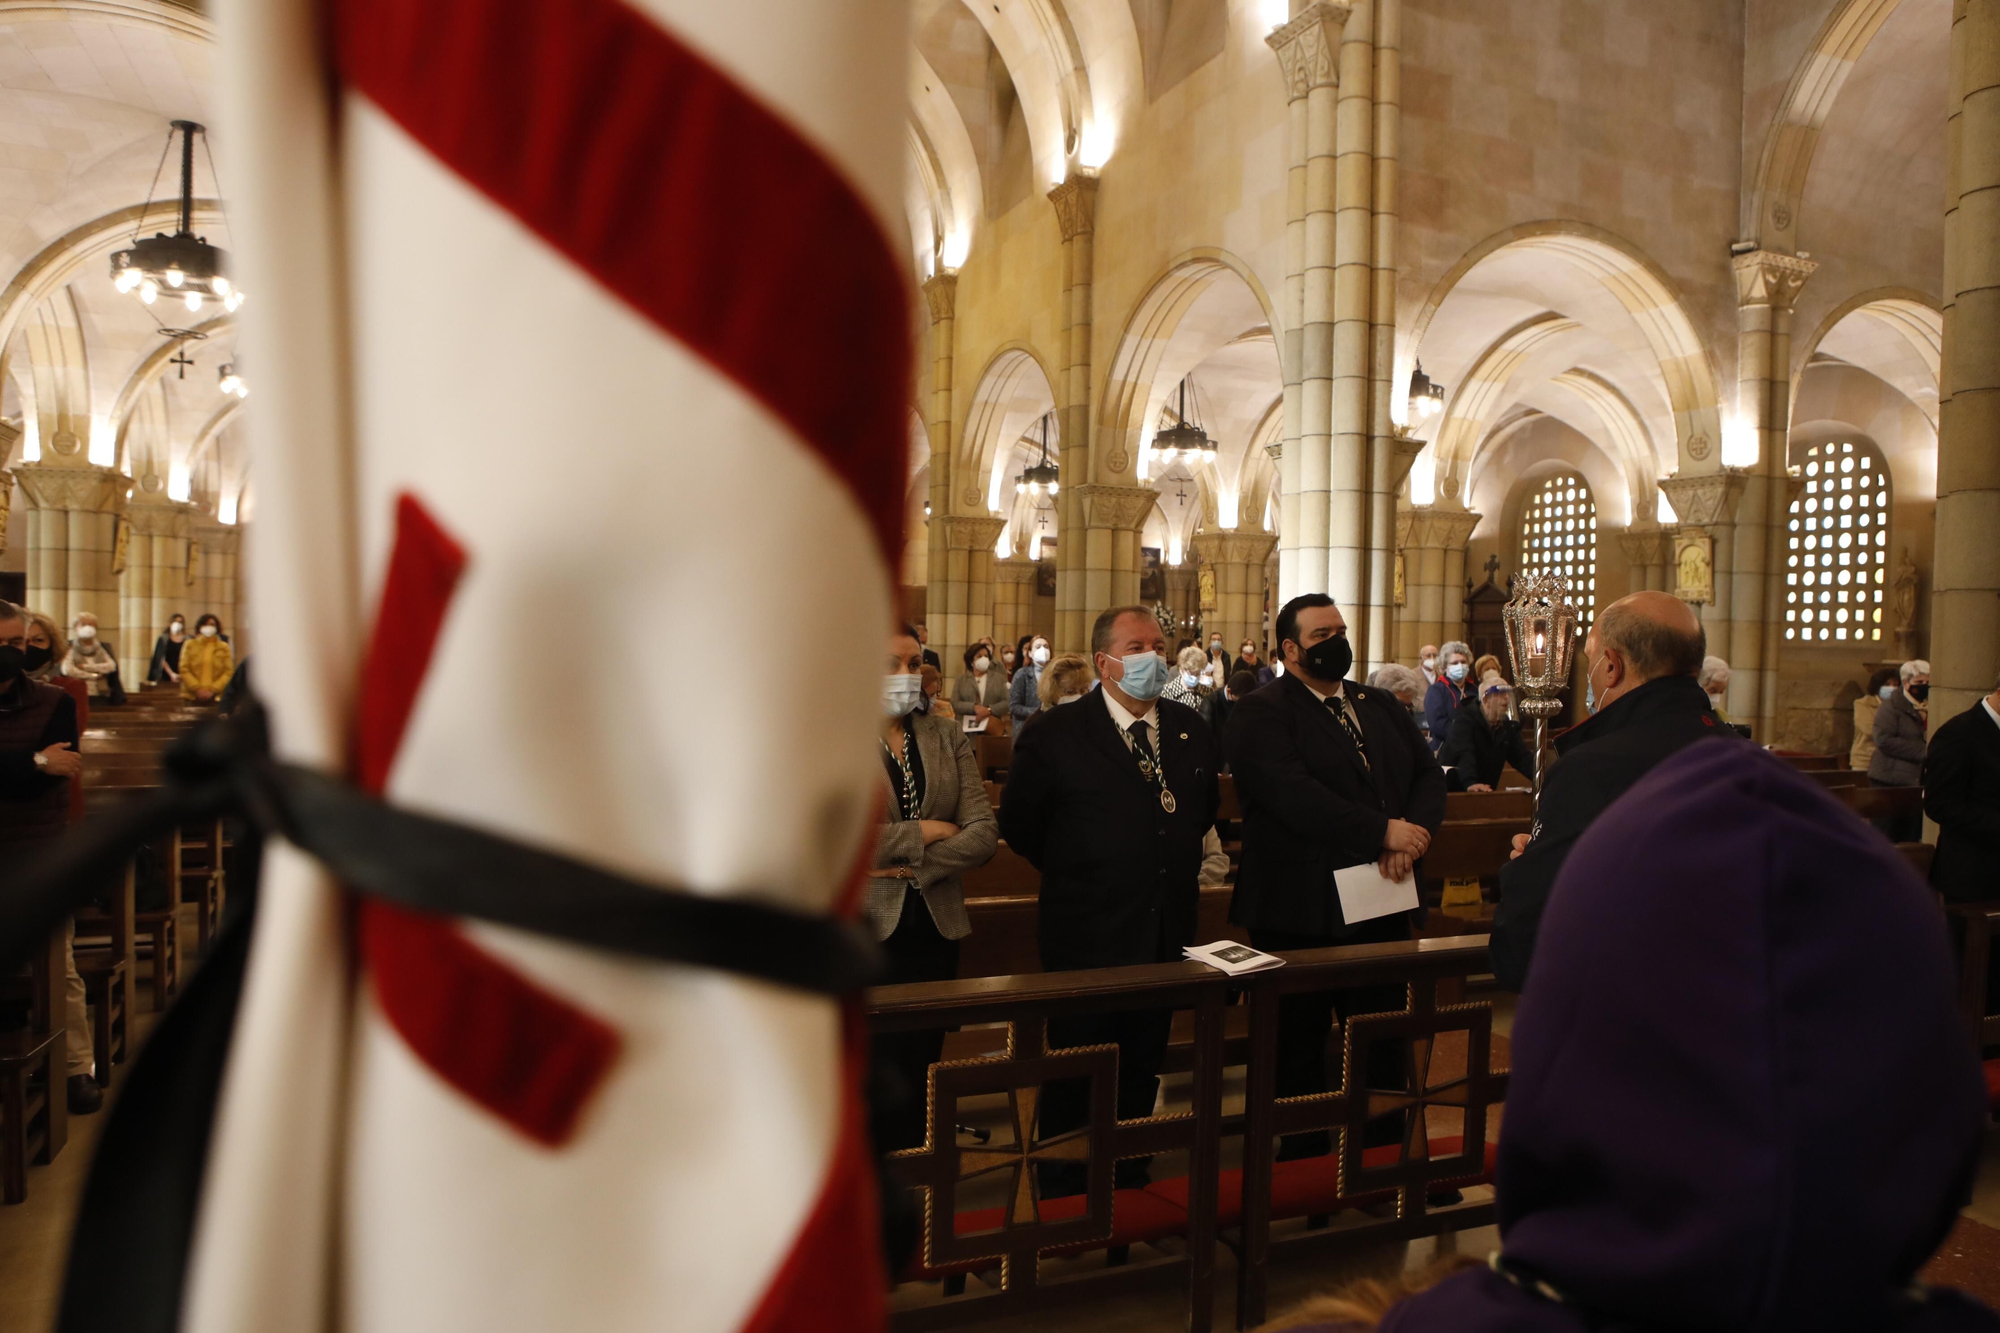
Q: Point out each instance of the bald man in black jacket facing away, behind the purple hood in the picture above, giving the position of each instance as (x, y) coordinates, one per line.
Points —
(1645, 657)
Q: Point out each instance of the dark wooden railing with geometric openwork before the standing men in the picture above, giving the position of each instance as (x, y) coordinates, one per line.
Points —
(1359, 1196)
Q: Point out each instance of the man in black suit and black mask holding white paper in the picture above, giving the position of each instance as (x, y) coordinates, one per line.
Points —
(1329, 776)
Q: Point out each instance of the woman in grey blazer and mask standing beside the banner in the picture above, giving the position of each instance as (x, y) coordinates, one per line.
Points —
(935, 828)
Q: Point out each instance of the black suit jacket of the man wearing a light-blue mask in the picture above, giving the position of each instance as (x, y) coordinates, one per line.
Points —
(1121, 876)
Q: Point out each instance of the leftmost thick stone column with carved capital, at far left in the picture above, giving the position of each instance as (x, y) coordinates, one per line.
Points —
(73, 529)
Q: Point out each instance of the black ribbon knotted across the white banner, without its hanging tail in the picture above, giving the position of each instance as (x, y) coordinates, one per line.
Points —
(431, 866)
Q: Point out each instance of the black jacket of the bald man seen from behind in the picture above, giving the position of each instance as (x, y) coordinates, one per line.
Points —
(1599, 762)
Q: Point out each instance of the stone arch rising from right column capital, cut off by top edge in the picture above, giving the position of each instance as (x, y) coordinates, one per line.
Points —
(1773, 203)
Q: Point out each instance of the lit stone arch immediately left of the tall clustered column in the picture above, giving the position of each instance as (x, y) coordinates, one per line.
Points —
(1159, 347)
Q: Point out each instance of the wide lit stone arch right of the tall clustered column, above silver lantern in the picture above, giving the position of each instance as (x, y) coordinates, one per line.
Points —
(1681, 367)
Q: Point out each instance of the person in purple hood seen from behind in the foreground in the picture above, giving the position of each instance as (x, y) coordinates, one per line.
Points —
(1741, 1094)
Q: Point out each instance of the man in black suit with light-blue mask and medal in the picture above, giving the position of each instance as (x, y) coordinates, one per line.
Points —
(1109, 798)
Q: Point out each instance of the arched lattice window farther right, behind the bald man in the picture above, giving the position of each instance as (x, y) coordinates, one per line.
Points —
(1839, 547)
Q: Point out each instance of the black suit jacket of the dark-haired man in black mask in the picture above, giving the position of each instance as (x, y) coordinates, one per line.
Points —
(1313, 808)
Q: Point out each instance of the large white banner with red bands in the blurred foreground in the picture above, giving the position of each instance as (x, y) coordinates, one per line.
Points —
(581, 357)
